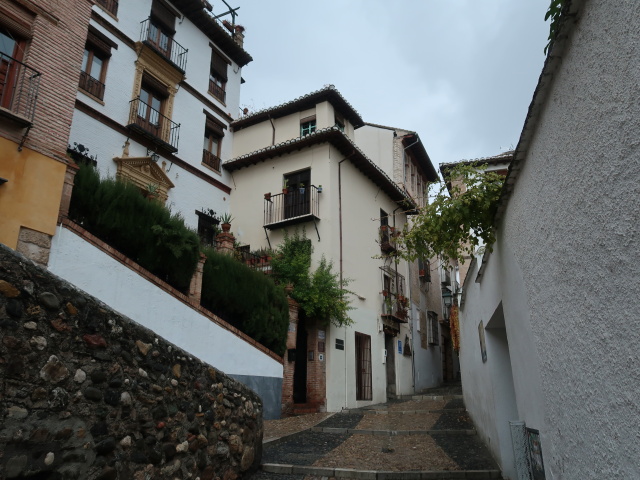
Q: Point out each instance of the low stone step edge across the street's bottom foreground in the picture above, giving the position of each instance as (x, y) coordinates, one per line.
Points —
(379, 475)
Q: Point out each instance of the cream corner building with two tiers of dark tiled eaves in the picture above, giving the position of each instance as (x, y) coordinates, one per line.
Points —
(347, 210)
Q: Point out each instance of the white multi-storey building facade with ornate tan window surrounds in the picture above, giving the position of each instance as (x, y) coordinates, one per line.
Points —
(159, 85)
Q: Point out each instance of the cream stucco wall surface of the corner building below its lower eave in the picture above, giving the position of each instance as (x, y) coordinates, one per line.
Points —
(361, 203)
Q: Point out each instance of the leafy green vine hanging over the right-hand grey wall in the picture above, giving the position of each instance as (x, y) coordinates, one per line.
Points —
(457, 218)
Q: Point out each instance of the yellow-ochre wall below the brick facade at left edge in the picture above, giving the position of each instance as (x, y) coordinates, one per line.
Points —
(31, 197)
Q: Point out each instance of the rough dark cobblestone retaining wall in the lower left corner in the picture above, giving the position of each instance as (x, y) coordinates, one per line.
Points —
(89, 394)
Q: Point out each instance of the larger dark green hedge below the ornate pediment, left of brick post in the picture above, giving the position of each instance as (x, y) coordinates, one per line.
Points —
(145, 231)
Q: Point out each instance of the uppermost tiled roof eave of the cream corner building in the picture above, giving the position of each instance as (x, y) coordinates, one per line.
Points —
(328, 93)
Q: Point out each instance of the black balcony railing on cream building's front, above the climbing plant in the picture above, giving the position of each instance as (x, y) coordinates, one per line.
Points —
(292, 207)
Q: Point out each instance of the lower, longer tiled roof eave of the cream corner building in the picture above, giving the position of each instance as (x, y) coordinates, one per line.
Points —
(340, 141)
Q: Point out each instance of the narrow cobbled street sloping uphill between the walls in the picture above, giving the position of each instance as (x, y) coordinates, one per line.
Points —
(424, 436)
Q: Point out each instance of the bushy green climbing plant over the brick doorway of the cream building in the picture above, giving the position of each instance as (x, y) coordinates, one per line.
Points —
(319, 293)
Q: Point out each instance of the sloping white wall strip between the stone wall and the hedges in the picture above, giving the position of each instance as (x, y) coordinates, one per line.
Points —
(98, 274)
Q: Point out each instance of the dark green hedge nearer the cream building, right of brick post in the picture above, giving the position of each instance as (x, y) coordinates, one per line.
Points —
(247, 299)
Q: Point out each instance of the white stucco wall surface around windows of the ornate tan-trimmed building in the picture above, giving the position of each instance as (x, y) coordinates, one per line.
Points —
(190, 193)
